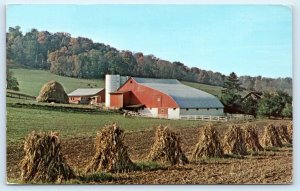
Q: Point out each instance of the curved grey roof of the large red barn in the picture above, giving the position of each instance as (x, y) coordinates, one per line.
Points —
(185, 96)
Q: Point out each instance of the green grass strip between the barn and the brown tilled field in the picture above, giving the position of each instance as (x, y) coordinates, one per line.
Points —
(21, 121)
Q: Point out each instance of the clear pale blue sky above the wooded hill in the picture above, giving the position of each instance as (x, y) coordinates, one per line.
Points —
(247, 39)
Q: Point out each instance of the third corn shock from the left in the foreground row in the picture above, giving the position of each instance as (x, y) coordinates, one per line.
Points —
(166, 147)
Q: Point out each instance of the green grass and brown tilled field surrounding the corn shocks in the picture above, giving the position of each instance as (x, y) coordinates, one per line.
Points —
(78, 131)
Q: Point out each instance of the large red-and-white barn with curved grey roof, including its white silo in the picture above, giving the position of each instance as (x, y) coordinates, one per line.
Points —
(165, 98)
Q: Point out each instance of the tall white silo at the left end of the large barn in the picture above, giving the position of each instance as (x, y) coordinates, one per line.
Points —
(112, 83)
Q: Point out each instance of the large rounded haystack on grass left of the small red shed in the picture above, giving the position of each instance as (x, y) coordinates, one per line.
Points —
(53, 92)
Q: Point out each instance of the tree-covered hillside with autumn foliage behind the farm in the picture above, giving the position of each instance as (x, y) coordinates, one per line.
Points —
(81, 58)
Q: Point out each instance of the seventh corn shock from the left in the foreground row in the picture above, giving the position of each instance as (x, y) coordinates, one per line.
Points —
(271, 137)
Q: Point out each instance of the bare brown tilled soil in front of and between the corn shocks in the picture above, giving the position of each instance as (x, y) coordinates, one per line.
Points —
(266, 167)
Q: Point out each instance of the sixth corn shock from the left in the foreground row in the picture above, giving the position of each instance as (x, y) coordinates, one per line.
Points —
(251, 139)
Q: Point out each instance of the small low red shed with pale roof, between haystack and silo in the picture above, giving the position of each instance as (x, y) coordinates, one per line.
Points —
(87, 96)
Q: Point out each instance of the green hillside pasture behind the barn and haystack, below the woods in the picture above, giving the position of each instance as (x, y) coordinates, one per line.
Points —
(31, 82)
